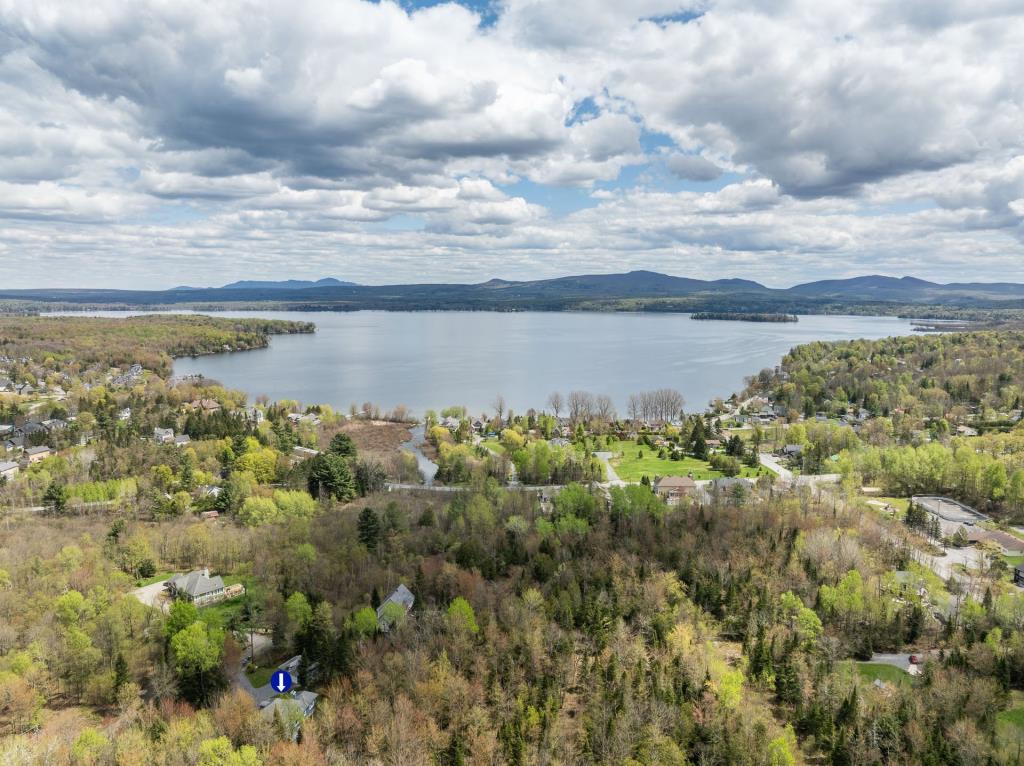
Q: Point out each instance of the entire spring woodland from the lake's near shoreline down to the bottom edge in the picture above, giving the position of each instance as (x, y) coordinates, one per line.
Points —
(578, 623)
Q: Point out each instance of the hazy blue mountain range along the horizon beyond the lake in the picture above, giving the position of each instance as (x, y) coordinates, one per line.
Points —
(632, 291)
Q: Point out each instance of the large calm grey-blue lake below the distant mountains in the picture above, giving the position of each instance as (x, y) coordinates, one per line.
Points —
(433, 360)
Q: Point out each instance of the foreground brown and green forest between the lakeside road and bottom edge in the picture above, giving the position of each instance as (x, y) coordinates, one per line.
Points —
(607, 632)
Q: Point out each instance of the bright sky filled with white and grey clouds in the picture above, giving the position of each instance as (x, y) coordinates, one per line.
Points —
(148, 144)
